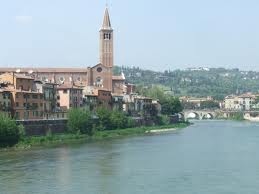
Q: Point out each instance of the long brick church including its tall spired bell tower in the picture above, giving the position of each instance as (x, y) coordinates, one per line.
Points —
(97, 77)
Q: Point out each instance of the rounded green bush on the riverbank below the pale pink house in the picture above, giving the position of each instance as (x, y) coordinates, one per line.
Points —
(80, 120)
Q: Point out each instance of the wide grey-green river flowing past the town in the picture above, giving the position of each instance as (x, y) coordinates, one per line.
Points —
(209, 157)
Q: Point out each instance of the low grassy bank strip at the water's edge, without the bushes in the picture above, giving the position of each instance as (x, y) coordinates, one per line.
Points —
(53, 140)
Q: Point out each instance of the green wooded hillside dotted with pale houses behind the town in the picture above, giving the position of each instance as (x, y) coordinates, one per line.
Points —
(199, 82)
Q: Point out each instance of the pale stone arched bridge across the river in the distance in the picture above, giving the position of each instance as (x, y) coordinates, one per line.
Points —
(199, 114)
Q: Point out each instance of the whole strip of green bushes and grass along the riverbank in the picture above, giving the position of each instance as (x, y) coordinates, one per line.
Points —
(81, 126)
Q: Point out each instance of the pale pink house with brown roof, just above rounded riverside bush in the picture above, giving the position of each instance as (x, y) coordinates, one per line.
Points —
(69, 96)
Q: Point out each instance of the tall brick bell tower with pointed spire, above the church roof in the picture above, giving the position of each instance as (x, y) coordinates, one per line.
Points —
(106, 41)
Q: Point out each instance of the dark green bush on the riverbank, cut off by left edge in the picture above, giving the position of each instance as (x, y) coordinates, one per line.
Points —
(9, 131)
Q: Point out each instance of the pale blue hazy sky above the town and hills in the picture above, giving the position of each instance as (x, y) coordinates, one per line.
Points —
(157, 34)
